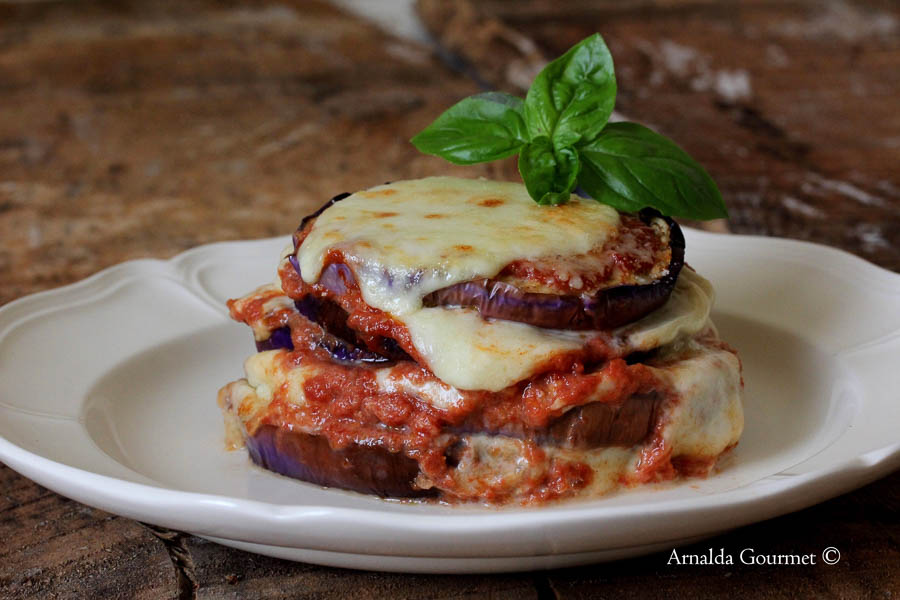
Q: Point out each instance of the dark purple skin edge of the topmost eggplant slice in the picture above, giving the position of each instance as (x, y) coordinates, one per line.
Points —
(607, 309)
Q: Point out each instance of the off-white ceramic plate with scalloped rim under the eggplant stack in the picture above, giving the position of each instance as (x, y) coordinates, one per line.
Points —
(108, 387)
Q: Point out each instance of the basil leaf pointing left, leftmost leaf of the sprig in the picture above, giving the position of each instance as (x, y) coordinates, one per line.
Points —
(477, 129)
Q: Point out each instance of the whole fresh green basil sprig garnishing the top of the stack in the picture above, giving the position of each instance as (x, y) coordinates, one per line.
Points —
(563, 137)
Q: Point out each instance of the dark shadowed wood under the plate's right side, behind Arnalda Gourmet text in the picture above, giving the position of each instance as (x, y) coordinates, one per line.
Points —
(862, 525)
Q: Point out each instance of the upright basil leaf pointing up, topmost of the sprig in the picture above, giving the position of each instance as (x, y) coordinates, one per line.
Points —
(571, 99)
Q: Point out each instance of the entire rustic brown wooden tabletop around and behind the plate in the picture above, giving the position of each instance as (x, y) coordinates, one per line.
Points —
(133, 130)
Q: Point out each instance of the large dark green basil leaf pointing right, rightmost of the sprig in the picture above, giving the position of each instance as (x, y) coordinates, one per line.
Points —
(629, 167)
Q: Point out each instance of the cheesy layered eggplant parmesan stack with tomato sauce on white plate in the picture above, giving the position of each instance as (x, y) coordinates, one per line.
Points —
(450, 338)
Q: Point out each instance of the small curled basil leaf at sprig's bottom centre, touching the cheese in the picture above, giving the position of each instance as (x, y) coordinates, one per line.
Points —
(549, 174)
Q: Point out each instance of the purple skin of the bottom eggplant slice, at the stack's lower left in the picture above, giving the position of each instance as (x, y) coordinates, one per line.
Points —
(365, 469)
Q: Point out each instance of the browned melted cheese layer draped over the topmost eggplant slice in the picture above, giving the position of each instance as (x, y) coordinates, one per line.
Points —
(407, 239)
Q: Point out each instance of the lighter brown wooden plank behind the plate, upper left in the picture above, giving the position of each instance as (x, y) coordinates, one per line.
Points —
(151, 128)
